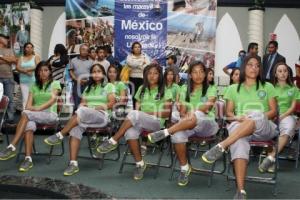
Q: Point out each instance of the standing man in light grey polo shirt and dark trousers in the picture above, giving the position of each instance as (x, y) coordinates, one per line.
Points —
(79, 71)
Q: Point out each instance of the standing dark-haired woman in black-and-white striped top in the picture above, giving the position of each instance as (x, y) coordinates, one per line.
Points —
(58, 63)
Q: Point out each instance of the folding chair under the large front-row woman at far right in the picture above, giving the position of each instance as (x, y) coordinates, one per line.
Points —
(273, 143)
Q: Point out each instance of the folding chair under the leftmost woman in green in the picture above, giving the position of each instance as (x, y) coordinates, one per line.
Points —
(43, 127)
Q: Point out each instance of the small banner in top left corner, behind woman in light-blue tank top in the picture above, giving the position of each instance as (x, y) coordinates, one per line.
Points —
(15, 22)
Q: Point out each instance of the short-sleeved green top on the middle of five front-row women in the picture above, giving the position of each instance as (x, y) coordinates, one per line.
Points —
(149, 102)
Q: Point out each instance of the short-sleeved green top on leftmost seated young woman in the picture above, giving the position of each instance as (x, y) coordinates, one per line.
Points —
(41, 96)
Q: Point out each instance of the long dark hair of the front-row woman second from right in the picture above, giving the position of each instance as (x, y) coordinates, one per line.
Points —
(190, 84)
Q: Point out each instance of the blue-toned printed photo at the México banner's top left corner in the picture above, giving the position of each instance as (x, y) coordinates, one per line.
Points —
(76, 9)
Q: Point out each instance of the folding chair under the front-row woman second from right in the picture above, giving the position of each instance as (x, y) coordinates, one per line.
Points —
(206, 141)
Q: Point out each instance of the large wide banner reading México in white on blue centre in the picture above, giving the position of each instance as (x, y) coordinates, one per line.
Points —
(183, 28)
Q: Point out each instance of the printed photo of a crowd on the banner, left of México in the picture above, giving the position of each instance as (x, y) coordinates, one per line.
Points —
(92, 31)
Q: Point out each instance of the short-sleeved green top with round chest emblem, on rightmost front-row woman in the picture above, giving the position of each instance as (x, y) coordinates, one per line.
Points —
(250, 99)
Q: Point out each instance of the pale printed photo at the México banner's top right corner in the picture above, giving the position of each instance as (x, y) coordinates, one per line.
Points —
(195, 7)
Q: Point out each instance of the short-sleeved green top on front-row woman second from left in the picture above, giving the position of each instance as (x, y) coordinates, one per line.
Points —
(98, 95)
